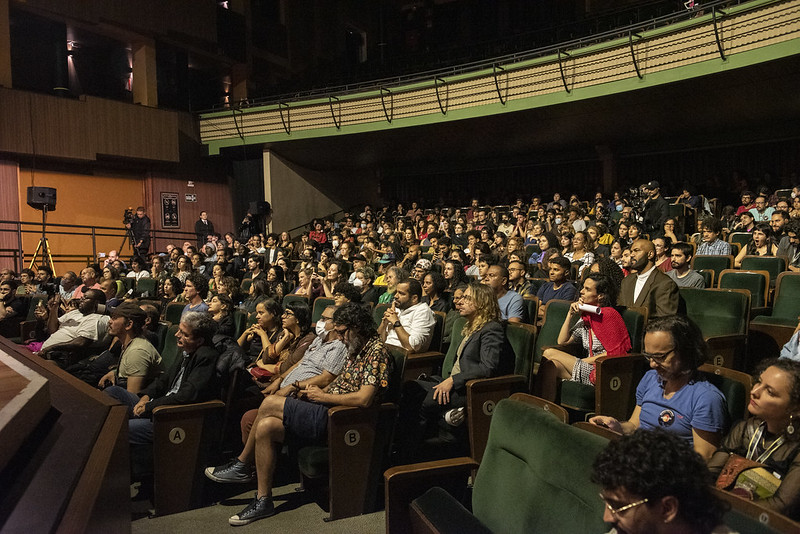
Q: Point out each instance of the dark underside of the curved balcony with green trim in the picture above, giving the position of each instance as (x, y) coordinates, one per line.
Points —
(742, 106)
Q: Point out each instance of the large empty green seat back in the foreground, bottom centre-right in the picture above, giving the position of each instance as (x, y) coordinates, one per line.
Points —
(524, 464)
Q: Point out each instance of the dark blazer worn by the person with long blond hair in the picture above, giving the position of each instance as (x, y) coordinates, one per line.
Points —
(487, 353)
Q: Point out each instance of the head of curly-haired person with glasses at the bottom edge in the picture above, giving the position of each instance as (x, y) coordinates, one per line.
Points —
(653, 482)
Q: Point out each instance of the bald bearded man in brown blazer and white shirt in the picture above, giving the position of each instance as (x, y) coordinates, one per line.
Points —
(647, 286)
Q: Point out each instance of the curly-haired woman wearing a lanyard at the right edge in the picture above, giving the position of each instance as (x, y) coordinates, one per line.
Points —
(770, 436)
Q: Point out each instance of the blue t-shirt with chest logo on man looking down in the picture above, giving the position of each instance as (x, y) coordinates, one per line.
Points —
(697, 405)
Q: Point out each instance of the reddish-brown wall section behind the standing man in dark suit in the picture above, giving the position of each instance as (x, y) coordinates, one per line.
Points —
(213, 197)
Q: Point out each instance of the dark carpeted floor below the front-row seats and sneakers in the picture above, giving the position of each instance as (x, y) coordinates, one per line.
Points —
(295, 514)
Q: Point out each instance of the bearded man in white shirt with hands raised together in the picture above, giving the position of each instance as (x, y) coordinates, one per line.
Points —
(408, 323)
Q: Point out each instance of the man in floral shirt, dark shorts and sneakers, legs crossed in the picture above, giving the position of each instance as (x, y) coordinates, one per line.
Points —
(364, 376)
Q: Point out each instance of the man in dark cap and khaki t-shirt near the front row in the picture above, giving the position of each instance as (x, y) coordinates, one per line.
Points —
(139, 362)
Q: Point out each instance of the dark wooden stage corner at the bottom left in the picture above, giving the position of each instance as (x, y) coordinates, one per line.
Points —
(64, 454)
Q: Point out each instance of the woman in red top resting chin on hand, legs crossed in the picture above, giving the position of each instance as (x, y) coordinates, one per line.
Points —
(602, 334)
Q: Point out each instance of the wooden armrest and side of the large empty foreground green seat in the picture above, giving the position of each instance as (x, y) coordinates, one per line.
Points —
(407, 482)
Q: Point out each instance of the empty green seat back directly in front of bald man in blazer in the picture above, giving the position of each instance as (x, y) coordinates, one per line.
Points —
(717, 311)
